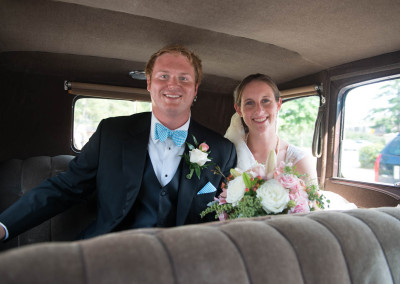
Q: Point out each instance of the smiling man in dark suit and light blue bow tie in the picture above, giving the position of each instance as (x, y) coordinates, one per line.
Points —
(134, 163)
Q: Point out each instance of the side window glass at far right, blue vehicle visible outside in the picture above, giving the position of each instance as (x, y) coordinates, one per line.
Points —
(370, 148)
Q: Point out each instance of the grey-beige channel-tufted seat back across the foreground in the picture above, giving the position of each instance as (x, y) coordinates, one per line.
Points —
(357, 246)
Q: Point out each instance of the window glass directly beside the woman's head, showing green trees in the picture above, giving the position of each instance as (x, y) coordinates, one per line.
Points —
(296, 121)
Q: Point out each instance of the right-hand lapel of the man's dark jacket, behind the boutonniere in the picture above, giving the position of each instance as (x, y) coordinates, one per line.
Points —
(187, 187)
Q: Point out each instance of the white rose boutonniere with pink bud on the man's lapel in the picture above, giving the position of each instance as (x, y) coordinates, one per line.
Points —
(197, 158)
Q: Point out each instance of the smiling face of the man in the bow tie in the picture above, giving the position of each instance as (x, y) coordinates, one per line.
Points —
(172, 87)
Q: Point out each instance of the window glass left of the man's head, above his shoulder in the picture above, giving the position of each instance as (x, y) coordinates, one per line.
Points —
(88, 112)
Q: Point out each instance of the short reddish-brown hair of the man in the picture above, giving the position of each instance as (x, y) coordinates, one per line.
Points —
(193, 59)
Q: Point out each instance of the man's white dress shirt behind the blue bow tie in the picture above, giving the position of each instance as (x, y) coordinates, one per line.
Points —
(165, 156)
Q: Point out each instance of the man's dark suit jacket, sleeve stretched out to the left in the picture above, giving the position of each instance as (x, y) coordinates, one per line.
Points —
(112, 164)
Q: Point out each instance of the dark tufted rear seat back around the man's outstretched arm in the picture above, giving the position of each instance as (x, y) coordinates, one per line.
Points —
(17, 177)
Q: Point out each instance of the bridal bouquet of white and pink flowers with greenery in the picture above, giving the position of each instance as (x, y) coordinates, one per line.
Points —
(265, 190)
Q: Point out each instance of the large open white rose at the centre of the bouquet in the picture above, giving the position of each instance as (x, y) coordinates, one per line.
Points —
(274, 197)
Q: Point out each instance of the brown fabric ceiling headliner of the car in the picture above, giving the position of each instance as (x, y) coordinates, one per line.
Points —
(285, 39)
